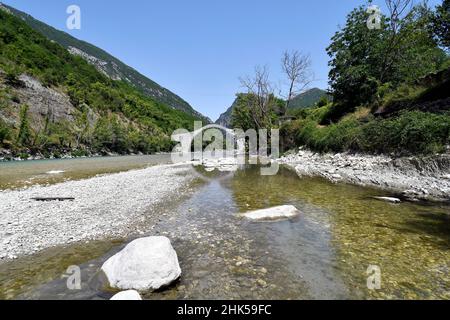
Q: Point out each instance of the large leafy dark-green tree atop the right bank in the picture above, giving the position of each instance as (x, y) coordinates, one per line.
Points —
(364, 60)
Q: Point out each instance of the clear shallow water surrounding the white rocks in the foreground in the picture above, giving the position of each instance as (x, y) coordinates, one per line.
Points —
(323, 254)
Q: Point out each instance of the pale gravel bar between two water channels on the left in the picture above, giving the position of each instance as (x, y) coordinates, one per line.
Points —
(104, 206)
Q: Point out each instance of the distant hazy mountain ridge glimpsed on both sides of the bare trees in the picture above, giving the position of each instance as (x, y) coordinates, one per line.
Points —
(303, 100)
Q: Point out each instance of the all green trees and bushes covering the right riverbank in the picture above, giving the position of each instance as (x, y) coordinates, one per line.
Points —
(389, 87)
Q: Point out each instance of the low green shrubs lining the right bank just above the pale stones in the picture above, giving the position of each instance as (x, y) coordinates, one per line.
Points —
(411, 132)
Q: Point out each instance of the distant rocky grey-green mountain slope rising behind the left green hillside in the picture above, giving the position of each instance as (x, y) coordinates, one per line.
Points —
(108, 64)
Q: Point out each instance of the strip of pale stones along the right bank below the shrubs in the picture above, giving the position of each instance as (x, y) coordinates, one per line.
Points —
(415, 178)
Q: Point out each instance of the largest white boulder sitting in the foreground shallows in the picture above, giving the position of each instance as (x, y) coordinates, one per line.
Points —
(145, 264)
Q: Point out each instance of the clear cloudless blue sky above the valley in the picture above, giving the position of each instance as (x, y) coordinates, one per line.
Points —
(199, 48)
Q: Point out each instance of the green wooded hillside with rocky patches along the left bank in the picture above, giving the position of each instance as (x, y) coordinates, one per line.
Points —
(107, 116)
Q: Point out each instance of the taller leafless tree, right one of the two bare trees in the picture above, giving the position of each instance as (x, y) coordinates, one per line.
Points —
(297, 68)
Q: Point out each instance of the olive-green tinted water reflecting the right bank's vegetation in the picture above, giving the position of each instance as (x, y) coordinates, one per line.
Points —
(409, 242)
